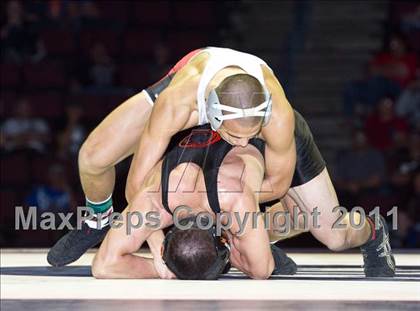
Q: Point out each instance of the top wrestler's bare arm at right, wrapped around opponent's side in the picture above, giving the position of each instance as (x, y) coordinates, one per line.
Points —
(280, 152)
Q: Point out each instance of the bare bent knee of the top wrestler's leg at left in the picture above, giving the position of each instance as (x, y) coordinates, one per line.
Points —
(91, 159)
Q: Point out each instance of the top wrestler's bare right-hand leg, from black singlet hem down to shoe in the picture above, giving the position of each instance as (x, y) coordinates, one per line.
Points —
(319, 193)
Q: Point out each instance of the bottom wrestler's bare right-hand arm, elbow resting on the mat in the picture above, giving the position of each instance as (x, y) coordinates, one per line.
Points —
(250, 249)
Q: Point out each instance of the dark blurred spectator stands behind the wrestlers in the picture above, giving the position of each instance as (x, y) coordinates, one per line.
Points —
(350, 67)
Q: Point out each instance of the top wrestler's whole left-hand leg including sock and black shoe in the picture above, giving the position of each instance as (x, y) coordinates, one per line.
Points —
(113, 140)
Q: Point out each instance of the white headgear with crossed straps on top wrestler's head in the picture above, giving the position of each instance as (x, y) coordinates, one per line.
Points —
(215, 110)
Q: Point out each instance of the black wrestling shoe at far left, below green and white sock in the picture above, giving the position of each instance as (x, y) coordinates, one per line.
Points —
(74, 244)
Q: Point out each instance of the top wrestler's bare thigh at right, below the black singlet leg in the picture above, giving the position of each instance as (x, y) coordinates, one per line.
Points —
(318, 194)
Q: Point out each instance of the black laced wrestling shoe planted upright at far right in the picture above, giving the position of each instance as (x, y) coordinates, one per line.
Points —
(377, 253)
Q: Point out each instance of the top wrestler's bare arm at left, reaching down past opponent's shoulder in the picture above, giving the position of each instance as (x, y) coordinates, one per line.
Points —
(173, 112)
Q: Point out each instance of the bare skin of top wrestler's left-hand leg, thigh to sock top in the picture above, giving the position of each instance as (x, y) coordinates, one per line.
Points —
(111, 141)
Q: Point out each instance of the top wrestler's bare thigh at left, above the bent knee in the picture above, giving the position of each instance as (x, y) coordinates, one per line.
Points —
(116, 137)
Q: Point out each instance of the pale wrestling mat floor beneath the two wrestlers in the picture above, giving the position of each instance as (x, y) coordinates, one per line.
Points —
(324, 281)
